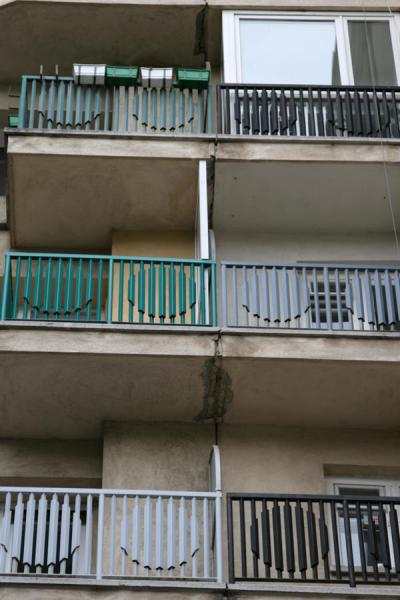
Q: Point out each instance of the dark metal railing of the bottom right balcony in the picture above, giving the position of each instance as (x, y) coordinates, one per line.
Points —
(335, 539)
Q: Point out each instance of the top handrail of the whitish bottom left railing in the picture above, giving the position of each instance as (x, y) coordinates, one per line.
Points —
(109, 492)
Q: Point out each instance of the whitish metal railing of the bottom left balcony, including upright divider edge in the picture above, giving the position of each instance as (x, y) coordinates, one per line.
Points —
(112, 533)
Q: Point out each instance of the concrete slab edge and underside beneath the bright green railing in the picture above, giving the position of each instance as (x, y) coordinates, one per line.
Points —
(59, 383)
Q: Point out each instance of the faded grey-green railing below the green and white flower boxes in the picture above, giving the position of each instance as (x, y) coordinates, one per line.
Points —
(59, 103)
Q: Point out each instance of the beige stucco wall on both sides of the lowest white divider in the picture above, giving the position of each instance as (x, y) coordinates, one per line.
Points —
(254, 458)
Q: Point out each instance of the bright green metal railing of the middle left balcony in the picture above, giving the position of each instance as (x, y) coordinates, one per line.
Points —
(108, 289)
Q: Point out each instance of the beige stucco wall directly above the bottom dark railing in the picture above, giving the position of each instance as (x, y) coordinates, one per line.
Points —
(294, 460)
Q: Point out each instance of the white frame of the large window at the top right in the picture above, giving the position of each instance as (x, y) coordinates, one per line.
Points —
(231, 38)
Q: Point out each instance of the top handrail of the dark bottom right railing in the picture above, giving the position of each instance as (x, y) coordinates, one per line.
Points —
(313, 497)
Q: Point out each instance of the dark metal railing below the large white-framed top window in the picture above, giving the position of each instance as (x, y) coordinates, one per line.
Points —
(345, 111)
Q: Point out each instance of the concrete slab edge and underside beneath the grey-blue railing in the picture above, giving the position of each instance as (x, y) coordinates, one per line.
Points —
(313, 381)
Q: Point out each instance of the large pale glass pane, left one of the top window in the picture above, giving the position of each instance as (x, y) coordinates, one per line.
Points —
(284, 52)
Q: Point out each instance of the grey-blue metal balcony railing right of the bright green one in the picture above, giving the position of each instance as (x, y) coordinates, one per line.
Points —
(311, 297)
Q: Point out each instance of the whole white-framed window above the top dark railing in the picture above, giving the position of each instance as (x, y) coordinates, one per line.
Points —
(280, 49)
